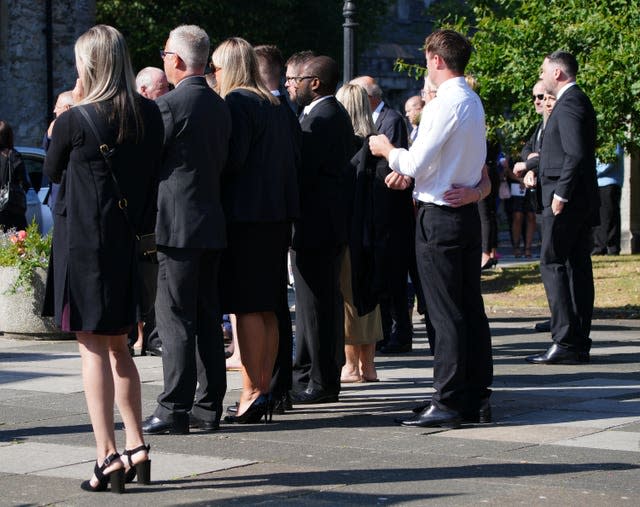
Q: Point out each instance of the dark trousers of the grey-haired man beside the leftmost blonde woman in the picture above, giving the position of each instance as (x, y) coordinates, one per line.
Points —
(188, 322)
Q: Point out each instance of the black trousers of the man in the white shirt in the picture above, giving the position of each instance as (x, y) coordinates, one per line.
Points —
(448, 251)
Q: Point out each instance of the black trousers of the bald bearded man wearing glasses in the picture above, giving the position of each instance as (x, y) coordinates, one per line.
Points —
(319, 319)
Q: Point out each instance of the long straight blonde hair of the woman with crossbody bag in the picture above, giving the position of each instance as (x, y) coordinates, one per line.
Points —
(105, 71)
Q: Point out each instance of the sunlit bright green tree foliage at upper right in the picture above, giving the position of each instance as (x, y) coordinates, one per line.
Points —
(511, 37)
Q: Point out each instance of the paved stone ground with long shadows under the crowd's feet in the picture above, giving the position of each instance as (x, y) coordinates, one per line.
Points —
(563, 435)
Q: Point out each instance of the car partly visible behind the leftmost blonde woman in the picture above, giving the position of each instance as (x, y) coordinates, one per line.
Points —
(38, 194)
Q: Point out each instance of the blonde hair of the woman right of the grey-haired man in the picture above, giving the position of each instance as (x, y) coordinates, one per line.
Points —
(237, 58)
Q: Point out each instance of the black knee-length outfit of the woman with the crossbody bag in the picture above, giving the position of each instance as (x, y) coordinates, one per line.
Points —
(93, 283)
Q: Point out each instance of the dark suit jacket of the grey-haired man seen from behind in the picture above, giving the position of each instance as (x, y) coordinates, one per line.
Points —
(196, 141)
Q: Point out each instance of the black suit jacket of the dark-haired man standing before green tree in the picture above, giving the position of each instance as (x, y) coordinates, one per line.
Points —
(567, 158)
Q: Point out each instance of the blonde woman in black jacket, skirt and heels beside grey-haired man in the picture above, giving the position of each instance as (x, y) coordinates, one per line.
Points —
(260, 199)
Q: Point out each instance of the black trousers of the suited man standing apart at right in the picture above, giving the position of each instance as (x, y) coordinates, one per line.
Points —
(567, 275)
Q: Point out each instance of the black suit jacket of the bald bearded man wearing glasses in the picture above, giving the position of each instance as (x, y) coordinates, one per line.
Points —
(327, 147)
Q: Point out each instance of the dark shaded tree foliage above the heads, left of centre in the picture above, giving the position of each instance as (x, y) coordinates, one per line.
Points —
(290, 24)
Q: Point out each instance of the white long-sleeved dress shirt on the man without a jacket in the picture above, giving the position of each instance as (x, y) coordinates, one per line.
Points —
(451, 146)
